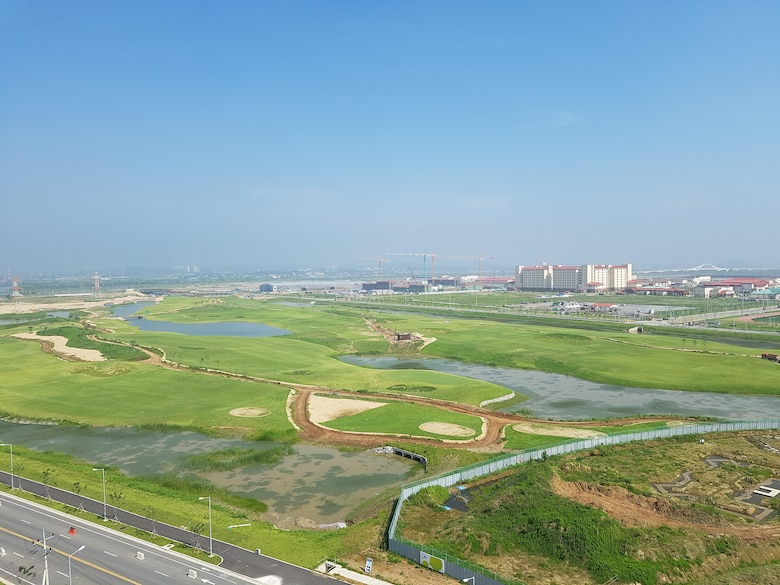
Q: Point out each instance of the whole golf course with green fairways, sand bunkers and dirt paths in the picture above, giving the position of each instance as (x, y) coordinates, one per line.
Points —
(92, 369)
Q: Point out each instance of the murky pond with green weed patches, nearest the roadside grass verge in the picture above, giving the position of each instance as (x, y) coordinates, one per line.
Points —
(321, 484)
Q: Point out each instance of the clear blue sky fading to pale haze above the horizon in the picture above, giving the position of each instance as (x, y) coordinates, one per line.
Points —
(262, 135)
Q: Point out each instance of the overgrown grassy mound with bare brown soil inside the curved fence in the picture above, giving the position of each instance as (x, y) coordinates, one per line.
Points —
(519, 514)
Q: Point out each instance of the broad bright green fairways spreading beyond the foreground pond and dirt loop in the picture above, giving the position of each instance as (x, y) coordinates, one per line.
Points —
(40, 386)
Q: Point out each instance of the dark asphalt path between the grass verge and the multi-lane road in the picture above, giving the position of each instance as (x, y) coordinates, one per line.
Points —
(234, 558)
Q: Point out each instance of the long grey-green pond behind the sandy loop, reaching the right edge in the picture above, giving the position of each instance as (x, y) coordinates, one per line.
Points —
(555, 396)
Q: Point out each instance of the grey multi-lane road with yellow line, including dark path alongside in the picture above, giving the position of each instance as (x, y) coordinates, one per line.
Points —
(111, 557)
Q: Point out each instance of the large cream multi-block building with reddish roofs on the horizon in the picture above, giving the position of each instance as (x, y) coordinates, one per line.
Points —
(587, 277)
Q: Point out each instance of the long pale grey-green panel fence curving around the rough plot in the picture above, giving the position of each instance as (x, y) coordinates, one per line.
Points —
(460, 569)
